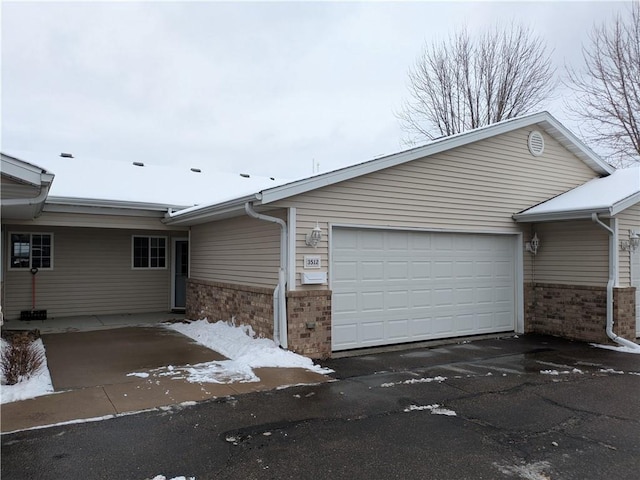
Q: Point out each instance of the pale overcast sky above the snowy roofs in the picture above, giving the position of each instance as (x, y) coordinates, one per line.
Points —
(263, 88)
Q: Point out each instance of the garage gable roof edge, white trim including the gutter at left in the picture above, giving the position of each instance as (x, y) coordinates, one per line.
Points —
(542, 120)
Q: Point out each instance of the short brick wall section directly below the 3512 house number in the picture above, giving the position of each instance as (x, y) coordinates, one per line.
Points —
(309, 315)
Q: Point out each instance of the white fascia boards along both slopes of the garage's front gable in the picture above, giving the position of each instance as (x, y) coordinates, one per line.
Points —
(549, 124)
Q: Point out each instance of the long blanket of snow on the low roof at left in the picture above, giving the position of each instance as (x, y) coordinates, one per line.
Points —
(142, 182)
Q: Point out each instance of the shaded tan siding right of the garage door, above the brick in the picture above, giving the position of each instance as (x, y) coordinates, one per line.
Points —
(573, 252)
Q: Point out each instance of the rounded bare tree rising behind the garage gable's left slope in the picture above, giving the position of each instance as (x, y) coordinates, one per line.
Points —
(465, 83)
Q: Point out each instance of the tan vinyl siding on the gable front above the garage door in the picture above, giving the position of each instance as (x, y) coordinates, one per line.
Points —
(472, 188)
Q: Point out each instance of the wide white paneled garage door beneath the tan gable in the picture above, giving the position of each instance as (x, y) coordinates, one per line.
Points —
(398, 286)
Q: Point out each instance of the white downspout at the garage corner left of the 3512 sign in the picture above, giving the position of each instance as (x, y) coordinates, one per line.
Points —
(280, 292)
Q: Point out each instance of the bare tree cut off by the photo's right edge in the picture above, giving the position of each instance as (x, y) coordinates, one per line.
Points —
(607, 100)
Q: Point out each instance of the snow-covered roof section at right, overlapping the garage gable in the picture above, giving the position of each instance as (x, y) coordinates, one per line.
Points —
(606, 196)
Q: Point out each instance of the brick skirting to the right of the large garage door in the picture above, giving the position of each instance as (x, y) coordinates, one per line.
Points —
(578, 312)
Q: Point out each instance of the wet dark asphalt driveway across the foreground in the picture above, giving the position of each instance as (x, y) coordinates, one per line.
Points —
(513, 408)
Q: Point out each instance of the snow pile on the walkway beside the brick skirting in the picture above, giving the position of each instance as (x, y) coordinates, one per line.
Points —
(244, 351)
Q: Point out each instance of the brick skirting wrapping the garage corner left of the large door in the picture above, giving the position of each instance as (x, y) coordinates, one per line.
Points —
(308, 312)
